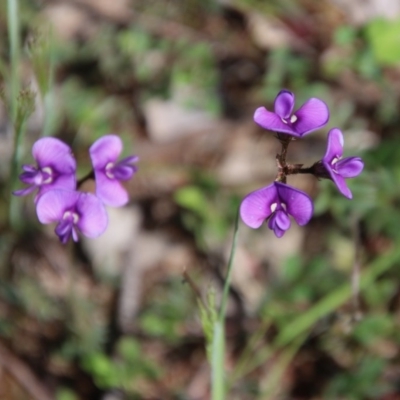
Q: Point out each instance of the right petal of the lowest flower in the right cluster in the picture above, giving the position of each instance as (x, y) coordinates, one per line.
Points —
(298, 204)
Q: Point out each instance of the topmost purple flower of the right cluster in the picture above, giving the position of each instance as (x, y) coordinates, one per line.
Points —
(312, 115)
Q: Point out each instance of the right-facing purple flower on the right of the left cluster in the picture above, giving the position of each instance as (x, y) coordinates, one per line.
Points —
(104, 153)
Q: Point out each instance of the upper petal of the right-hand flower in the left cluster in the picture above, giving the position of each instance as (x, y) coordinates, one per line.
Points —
(105, 150)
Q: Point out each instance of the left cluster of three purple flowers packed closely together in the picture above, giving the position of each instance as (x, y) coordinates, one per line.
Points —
(58, 199)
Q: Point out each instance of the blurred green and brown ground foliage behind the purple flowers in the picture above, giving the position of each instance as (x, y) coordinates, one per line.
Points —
(314, 315)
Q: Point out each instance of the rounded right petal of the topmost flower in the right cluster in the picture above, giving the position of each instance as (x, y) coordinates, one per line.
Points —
(312, 115)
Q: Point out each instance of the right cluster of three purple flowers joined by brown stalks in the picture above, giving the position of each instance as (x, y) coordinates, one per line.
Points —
(276, 202)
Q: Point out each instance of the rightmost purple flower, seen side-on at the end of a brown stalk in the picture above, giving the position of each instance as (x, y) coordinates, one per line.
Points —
(338, 168)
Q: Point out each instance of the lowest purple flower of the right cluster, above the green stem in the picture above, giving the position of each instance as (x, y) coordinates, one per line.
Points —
(275, 203)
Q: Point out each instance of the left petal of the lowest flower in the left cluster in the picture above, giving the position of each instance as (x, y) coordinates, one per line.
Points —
(51, 206)
